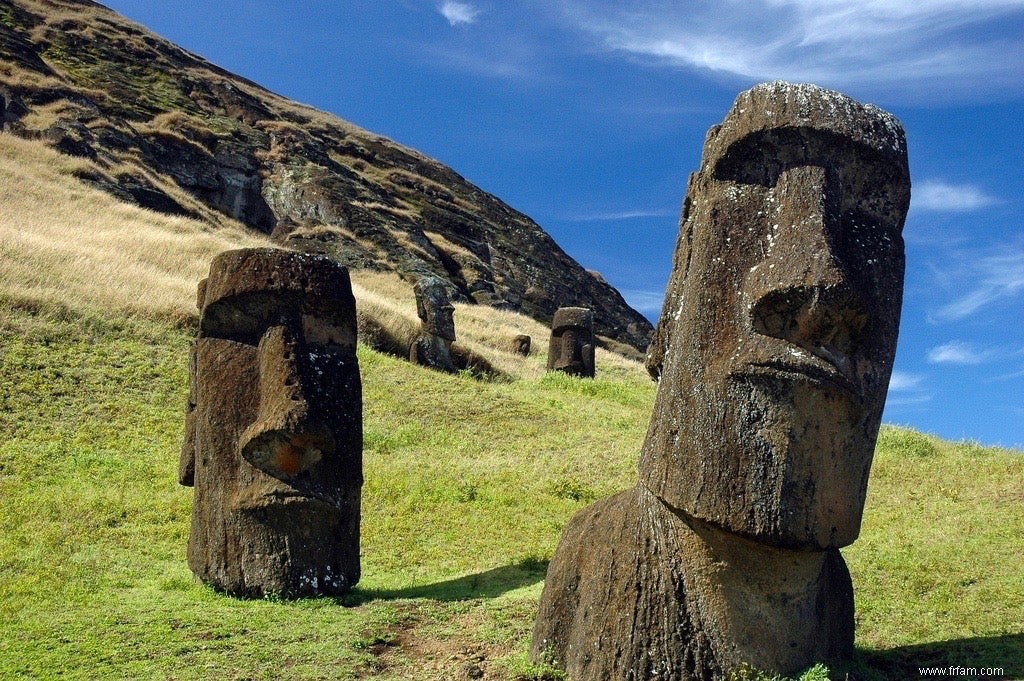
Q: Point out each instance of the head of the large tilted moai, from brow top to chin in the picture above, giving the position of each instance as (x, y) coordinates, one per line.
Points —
(778, 336)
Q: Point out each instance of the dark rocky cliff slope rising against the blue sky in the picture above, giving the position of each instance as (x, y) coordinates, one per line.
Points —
(170, 132)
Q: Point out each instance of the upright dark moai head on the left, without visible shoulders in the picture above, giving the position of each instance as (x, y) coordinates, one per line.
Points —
(274, 430)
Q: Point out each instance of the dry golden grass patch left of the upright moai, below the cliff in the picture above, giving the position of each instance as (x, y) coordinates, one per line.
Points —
(65, 244)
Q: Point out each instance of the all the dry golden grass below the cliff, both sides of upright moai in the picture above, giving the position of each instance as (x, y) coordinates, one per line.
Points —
(65, 245)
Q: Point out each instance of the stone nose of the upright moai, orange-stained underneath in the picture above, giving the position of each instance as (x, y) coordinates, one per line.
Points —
(286, 439)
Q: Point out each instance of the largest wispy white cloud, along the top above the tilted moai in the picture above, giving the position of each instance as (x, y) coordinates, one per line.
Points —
(842, 44)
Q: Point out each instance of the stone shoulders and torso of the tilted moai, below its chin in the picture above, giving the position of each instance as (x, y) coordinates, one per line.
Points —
(639, 591)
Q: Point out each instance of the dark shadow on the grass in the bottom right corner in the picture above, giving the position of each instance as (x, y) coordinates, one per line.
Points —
(983, 654)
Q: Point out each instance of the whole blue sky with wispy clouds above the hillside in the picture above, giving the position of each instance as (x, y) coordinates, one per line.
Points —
(589, 116)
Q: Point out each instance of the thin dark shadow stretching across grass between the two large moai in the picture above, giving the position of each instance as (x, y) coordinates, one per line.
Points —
(489, 584)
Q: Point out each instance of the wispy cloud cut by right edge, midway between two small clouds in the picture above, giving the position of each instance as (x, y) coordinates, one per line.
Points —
(994, 279)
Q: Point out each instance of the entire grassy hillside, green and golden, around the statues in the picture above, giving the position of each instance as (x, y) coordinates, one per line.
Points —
(470, 484)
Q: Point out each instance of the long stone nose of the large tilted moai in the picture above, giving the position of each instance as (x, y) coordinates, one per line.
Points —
(802, 291)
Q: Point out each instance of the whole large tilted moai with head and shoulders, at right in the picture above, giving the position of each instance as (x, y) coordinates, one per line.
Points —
(775, 352)
